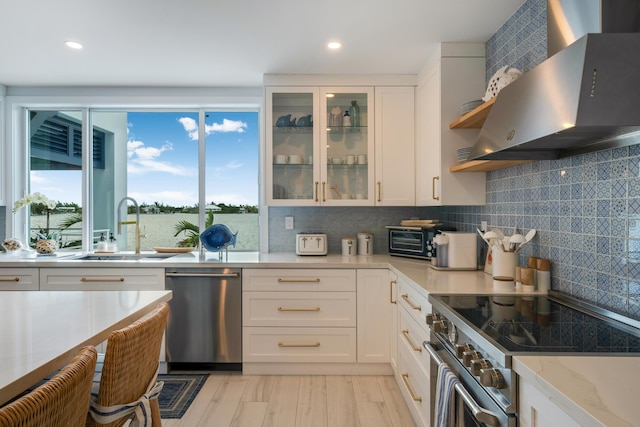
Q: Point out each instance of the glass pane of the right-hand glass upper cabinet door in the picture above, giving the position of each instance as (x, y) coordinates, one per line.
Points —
(347, 142)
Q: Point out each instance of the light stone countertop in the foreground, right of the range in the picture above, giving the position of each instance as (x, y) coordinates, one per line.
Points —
(594, 391)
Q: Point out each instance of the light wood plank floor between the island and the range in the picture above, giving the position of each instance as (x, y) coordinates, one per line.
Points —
(281, 401)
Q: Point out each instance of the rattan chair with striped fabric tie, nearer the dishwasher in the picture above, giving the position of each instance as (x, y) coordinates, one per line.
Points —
(130, 373)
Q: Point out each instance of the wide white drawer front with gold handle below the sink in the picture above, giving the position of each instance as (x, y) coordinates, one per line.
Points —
(97, 279)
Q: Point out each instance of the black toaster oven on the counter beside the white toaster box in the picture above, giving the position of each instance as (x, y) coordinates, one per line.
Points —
(413, 242)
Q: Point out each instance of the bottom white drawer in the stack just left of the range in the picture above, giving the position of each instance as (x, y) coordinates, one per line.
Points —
(415, 387)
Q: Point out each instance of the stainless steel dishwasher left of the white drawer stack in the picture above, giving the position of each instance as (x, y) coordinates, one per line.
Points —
(205, 321)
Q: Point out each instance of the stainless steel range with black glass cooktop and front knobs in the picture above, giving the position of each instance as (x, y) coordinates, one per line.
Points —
(478, 335)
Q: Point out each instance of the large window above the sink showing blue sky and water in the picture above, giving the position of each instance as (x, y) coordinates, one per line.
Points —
(152, 157)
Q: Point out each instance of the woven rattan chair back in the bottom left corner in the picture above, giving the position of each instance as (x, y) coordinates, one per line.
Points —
(61, 401)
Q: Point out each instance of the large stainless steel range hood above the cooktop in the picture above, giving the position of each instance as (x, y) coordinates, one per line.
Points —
(584, 98)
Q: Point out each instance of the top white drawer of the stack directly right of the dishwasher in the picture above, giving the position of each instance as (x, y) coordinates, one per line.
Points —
(288, 280)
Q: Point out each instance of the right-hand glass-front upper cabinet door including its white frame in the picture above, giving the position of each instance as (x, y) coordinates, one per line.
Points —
(347, 146)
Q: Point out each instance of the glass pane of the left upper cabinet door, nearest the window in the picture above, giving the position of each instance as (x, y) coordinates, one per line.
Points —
(292, 131)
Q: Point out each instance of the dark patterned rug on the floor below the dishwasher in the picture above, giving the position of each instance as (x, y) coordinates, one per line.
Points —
(178, 393)
